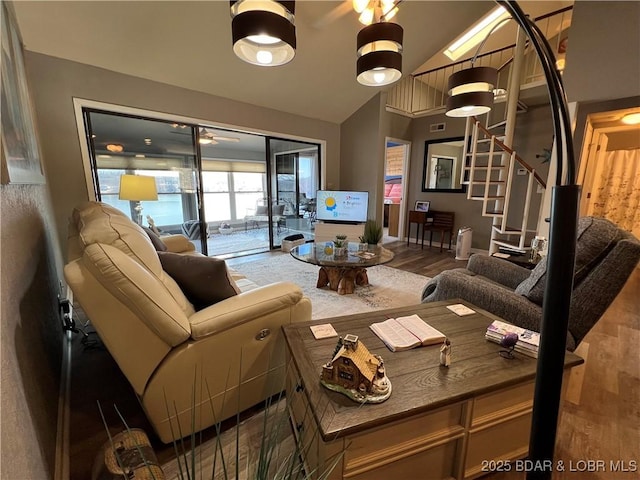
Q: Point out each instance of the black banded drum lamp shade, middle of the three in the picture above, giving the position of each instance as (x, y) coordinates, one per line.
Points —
(379, 54)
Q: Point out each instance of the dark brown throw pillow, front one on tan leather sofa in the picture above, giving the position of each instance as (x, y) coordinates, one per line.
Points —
(203, 280)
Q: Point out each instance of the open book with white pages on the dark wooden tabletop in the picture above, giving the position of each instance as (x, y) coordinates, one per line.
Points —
(403, 333)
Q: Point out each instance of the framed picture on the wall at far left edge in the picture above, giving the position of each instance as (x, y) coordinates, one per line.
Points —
(20, 152)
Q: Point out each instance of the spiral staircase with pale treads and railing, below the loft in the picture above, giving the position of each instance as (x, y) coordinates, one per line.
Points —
(489, 171)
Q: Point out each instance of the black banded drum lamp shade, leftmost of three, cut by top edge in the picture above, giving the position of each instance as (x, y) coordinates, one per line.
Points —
(263, 31)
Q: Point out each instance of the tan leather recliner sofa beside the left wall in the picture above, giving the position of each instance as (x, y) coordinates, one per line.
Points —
(233, 351)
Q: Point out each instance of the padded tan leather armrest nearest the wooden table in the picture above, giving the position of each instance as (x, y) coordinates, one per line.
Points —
(246, 307)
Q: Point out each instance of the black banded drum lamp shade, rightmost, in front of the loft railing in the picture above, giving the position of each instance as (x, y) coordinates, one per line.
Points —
(471, 91)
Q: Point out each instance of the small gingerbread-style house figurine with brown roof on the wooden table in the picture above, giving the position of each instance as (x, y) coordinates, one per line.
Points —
(356, 373)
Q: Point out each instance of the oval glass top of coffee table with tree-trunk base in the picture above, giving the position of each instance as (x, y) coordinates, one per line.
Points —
(323, 255)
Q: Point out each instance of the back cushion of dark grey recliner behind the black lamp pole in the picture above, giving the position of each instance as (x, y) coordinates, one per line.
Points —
(596, 237)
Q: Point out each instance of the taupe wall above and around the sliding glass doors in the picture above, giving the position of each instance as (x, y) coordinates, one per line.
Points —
(55, 82)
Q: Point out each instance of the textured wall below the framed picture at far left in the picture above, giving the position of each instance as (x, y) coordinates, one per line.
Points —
(30, 265)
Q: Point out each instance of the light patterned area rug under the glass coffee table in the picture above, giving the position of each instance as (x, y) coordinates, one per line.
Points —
(388, 287)
